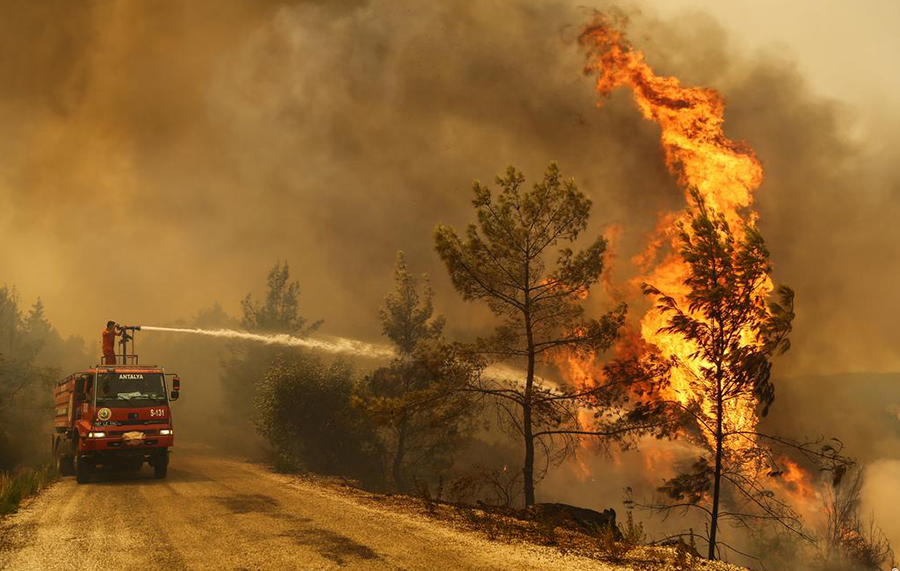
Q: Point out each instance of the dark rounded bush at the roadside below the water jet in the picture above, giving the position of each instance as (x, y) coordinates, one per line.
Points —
(303, 410)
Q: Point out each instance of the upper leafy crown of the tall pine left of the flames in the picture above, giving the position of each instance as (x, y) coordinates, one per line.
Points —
(503, 261)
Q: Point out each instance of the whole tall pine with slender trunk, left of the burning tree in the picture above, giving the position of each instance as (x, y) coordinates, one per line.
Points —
(503, 261)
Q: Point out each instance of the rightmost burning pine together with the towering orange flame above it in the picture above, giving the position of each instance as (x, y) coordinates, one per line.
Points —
(709, 340)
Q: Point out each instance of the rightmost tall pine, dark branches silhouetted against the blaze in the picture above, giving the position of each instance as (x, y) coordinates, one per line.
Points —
(730, 333)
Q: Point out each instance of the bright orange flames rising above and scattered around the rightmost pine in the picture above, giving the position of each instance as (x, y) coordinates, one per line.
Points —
(725, 173)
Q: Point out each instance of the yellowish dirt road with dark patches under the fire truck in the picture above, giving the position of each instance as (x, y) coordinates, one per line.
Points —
(223, 514)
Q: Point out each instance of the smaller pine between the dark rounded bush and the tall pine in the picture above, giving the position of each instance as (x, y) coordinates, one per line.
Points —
(415, 400)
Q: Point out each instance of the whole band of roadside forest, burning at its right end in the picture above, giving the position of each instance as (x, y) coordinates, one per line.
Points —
(484, 420)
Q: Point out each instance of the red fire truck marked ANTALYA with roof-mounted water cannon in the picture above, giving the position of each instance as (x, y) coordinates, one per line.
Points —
(114, 416)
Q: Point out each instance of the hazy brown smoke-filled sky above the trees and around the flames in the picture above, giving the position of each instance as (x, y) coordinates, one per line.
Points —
(157, 157)
